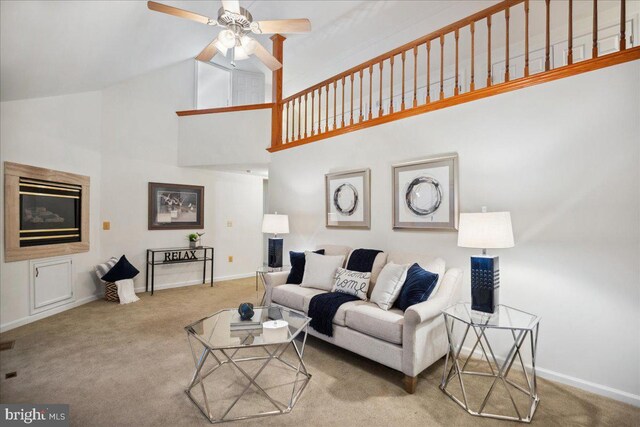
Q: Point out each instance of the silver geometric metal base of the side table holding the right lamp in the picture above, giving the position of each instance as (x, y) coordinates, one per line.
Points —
(498, 370)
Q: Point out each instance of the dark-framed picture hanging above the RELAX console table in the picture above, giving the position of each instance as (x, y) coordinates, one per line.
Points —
(175, 206)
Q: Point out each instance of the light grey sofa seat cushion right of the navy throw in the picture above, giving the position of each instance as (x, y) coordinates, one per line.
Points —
(370, 319)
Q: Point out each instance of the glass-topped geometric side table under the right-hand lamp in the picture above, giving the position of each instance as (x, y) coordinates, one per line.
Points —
(513, 329)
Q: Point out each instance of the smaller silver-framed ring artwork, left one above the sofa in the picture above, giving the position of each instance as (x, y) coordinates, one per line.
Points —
(348, 199)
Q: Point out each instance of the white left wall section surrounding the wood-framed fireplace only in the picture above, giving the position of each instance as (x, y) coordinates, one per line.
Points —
(61, 133)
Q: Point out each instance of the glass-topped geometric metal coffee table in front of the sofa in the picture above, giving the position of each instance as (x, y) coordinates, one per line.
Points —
(237, 354)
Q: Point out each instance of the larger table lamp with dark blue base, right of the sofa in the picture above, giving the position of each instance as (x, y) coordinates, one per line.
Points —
(485, 230)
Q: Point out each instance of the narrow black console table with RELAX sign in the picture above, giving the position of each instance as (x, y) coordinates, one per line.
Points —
(178, 256)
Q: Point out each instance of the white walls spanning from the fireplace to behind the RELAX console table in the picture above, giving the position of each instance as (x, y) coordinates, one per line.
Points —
(124, 137)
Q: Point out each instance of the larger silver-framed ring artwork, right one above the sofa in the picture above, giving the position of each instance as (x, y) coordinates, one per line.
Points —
(425, 193)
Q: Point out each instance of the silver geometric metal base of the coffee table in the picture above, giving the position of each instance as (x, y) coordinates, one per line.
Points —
(274, 352)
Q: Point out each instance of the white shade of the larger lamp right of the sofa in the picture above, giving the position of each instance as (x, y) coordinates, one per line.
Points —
(487, 230)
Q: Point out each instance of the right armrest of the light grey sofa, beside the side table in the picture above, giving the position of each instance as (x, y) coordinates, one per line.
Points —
(447, 295)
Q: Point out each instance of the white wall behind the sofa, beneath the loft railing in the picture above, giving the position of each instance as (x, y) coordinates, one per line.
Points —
(564, 158)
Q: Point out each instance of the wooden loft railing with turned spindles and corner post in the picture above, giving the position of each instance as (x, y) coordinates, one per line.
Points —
(298, 127)
